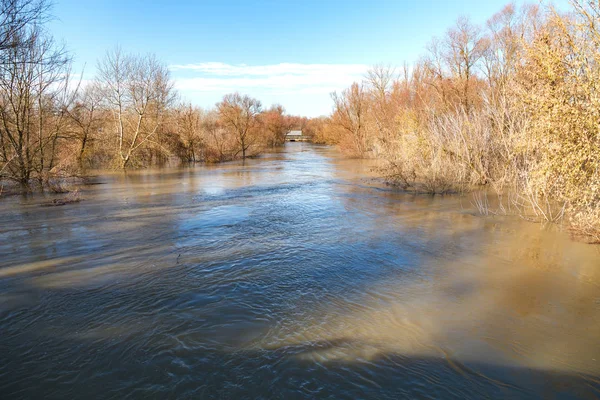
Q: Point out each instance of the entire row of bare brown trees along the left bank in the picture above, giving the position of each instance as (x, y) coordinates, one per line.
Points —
(53, 124)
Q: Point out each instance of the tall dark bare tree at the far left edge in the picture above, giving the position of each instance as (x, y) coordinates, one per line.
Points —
(33, 85)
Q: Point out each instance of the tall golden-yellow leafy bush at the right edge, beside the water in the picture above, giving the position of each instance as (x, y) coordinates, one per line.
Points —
(559, 87)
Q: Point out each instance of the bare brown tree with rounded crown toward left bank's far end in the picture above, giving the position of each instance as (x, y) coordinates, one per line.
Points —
(240, 115)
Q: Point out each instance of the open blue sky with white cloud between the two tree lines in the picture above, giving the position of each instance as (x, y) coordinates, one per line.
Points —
(291, 52)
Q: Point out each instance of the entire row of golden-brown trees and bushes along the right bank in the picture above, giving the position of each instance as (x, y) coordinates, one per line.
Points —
(512, 105)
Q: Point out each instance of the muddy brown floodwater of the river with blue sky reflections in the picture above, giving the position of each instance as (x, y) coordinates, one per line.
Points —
(293, 276)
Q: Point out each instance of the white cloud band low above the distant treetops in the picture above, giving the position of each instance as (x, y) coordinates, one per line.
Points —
(306, 87)
